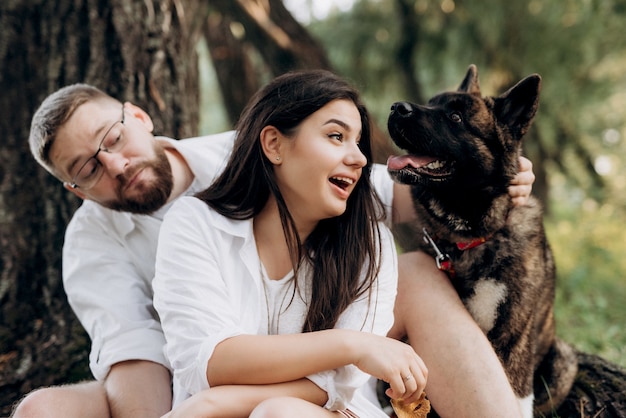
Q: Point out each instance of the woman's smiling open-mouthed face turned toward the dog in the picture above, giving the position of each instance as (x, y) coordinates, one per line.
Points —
(321, 163)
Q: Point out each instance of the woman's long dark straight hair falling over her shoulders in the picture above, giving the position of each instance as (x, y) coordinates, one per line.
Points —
(339, 247)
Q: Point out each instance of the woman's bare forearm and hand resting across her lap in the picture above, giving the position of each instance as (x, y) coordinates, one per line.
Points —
(262, 359)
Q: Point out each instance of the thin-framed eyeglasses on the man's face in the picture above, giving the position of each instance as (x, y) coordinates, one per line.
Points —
(91, 171)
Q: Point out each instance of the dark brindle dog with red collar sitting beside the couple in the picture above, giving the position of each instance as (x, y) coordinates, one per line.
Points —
(468, 148)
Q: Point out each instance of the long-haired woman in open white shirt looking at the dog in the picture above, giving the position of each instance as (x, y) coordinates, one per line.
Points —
(276, 285)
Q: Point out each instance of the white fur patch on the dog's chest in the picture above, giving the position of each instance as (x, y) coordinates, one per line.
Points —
(483, 306)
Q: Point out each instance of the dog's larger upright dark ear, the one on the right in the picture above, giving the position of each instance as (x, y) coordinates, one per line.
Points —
(517, 107)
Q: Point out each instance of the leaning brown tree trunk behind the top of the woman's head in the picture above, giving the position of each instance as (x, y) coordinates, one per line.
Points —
(269, 30)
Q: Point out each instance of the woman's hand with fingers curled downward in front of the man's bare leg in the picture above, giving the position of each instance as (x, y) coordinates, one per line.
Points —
(394, 362)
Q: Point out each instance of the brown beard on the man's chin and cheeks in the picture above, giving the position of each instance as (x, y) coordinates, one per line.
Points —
(152, 196)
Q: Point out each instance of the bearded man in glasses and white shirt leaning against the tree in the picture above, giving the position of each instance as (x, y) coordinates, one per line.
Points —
(104, 152)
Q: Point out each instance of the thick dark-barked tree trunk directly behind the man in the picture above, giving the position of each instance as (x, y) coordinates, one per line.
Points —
(142, 51)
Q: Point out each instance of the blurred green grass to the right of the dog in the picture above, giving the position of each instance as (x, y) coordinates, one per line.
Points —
(590, 251)
